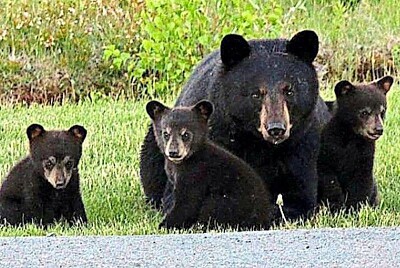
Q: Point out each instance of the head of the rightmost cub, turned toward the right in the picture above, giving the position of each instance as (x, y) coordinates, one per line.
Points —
(362, 107)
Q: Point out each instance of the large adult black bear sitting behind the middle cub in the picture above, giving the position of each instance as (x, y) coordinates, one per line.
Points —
(267, 112)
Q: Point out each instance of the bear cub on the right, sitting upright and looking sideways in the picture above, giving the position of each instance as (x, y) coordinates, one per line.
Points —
(345, 163)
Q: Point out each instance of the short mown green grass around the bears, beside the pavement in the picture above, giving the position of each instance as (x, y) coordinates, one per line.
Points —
(110, 167)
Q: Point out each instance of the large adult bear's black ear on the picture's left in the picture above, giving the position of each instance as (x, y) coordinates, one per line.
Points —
(234, 48)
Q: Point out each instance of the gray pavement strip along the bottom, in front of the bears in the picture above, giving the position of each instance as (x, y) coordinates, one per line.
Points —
(371, 247)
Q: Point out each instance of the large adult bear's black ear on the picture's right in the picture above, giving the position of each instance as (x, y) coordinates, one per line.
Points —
(304, 45)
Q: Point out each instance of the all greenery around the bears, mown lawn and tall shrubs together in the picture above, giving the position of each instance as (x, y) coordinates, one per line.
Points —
(98, 63)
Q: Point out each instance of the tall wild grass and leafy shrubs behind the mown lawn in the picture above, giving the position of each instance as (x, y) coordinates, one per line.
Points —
(52, 50)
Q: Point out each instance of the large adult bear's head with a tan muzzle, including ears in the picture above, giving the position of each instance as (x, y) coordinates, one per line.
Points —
(269, 87)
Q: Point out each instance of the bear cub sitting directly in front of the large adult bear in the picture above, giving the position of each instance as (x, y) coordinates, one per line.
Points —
(211, 186)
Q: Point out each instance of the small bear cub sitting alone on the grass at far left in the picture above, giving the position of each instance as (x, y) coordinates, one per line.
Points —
(44, 186)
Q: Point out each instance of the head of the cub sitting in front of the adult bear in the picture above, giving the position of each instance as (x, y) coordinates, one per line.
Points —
(180, 131)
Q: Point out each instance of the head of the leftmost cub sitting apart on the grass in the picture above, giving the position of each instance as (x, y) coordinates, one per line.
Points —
(56, 154)
